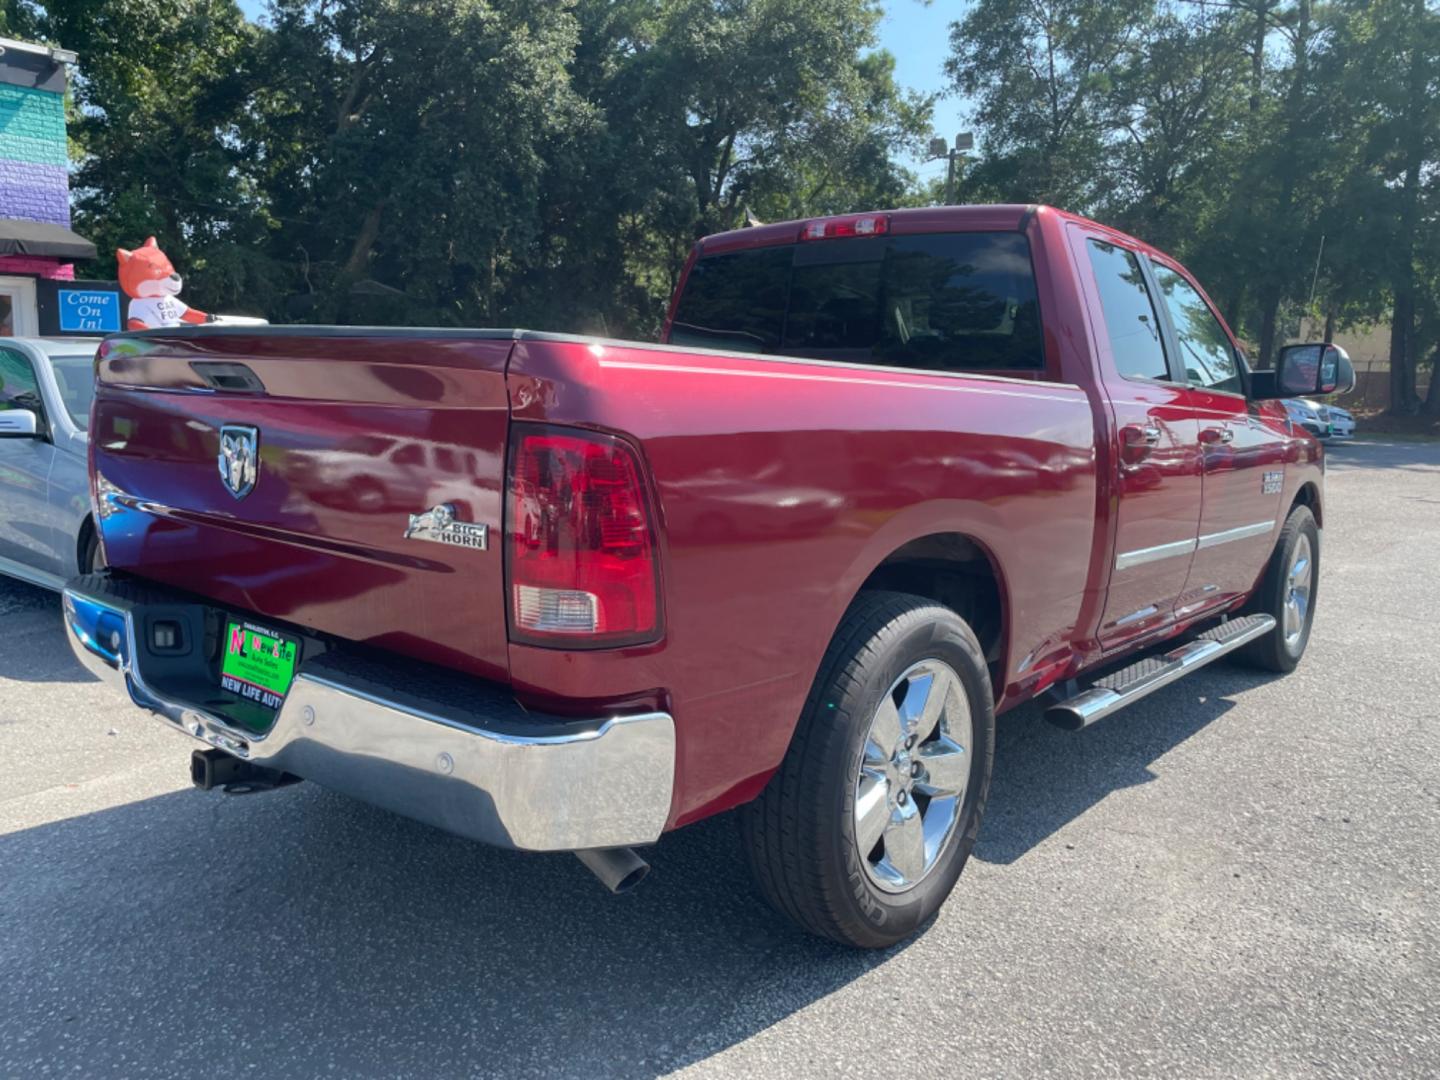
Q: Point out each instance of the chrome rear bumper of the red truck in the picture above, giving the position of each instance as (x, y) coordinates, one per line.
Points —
(474, 764)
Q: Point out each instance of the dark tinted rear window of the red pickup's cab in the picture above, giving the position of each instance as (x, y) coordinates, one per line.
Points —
(944, 302)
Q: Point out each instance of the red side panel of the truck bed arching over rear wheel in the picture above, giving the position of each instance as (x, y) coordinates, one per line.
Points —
(783, 487)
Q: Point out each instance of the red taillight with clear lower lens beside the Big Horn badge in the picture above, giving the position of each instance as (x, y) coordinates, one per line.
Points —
(581, 548)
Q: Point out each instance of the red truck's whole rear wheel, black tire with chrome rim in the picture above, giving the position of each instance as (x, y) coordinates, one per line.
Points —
(879, 760)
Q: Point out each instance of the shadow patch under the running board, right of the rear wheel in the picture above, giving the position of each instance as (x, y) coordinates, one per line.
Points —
(1046, 777)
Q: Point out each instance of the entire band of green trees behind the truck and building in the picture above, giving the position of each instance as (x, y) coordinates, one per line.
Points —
(508, 162)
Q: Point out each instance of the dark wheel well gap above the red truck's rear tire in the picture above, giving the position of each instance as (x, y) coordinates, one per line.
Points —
(951, 570)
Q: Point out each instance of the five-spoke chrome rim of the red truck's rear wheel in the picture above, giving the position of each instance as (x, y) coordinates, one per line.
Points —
(914, 775)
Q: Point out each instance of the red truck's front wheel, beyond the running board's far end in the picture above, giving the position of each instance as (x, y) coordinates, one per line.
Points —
(1288, 595)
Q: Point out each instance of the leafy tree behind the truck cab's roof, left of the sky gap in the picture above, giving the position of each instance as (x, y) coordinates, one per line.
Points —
(705, 109)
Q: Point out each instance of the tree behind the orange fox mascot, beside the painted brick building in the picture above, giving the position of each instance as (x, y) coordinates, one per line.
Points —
(159, 91)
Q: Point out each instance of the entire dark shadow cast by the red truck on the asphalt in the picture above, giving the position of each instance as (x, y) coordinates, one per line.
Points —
(299, 932)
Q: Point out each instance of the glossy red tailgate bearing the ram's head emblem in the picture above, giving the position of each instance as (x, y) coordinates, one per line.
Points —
(356, 430)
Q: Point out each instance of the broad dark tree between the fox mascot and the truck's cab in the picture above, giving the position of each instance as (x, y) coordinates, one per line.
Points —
(402, 148)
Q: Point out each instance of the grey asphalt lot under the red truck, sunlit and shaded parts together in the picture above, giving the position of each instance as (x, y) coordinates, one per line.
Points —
(1238, 878)
